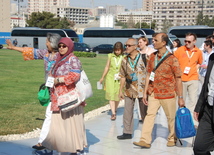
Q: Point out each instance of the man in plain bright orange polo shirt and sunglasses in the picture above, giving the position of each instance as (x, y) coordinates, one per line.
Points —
(190, 58)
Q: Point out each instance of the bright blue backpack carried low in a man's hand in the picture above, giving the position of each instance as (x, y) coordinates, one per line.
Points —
(184, 127)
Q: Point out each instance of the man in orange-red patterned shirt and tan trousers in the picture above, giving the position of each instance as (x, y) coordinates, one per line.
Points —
(161, 88)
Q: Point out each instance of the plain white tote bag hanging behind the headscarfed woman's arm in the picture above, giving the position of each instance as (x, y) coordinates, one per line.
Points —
(84, 87)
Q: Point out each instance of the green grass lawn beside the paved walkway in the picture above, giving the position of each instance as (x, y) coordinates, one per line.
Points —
(19, 83)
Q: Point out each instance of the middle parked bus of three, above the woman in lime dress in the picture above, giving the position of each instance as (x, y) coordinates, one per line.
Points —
(97, 36)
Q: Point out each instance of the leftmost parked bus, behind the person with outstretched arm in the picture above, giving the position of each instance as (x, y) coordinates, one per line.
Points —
(36, 37)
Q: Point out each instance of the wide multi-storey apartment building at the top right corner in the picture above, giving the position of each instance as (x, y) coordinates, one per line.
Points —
(180, 12)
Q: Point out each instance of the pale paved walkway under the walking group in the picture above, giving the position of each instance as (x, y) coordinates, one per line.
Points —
(101, 136)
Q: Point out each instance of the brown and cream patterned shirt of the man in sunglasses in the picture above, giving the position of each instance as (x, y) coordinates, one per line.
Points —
(137, 76)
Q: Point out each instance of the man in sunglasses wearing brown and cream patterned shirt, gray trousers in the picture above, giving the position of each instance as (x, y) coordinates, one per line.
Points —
(132, 83)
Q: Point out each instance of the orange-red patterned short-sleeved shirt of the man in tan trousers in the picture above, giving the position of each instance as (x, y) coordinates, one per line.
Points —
(164, 84)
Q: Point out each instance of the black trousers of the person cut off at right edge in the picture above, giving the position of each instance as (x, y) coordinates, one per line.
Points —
(204, 141)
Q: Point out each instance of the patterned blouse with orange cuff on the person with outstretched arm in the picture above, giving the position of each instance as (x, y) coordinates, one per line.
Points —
(36, 54)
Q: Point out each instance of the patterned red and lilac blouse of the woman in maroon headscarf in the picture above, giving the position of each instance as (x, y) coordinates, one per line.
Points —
(70, 70)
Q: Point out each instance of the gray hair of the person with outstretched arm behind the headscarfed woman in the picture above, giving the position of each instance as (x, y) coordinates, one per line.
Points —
(53, 38)
